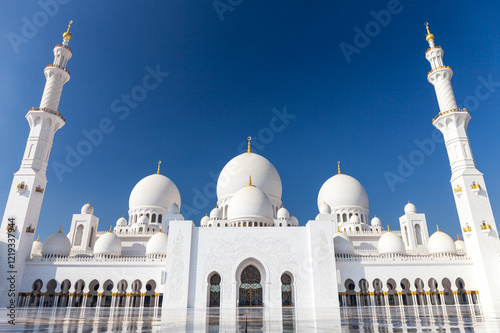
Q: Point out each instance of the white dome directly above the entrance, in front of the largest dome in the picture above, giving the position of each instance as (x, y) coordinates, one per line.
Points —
(250, 203)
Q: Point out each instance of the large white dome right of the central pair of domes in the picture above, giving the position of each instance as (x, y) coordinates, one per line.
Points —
(343, 191)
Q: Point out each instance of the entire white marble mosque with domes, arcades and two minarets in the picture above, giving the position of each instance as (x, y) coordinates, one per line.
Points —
(340, 258)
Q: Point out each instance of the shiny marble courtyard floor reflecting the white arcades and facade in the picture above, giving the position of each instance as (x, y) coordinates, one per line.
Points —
(354, 319)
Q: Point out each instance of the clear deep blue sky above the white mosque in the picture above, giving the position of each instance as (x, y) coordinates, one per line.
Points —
(225, 78)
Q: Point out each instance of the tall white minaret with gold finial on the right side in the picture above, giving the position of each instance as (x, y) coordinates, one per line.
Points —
(469, 188)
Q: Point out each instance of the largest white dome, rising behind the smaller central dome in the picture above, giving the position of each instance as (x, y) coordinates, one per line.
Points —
(235, 174)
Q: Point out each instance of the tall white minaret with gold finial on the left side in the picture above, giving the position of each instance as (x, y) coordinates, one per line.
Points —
(28, 186)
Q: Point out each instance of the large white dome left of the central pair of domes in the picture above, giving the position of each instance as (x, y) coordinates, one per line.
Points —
(154, 191)
